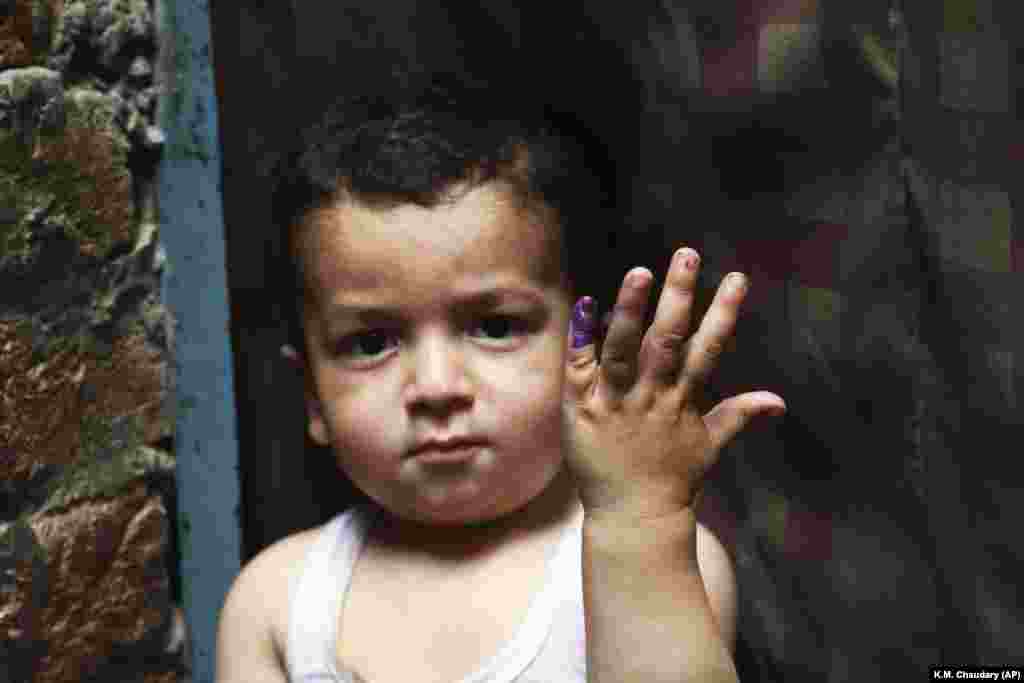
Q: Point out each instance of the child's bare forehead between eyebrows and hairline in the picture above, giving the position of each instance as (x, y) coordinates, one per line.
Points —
(481, 230)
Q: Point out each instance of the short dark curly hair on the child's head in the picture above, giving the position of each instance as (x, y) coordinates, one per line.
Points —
(412, 139)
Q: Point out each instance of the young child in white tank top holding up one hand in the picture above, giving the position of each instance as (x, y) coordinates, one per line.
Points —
(530, 500)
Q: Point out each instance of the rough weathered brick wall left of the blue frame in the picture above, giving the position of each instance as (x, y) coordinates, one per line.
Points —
(88, 587)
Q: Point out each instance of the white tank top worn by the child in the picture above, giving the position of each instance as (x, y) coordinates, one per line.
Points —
(549, 646)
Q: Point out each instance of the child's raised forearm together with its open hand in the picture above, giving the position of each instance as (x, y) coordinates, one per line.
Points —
(639, 450)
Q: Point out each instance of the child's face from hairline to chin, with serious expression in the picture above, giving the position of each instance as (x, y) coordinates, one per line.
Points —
(433, 364)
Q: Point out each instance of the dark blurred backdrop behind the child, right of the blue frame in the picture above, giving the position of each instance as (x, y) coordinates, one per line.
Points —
(876, 528)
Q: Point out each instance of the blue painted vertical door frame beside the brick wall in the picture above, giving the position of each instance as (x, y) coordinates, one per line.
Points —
(195, 289)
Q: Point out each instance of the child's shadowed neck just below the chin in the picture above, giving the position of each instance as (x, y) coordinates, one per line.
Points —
(461, 545)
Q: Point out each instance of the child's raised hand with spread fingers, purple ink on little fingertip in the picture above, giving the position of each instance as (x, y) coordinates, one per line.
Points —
(637, 443)
